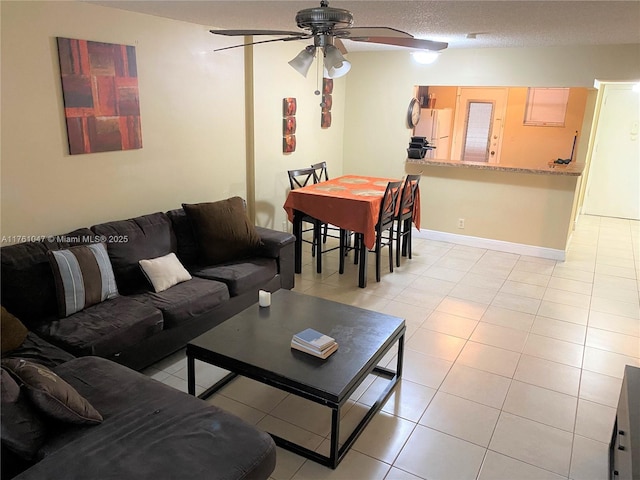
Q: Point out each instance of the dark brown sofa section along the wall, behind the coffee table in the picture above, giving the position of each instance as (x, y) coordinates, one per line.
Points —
(139, 326)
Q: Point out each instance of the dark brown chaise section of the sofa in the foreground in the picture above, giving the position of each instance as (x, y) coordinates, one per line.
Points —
(149, 430)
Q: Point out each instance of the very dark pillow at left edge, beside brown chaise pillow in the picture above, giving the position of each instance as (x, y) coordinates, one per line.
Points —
(22, 430)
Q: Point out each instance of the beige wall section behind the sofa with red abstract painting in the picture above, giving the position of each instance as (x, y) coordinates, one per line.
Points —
(191, 121)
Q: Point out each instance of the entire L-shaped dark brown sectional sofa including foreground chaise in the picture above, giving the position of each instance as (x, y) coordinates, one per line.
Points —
(149, 430)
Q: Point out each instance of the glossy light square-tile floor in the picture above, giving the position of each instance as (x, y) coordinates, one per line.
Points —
(513, 364)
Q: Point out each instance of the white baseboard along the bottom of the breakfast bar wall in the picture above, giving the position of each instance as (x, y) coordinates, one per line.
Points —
(490, 244)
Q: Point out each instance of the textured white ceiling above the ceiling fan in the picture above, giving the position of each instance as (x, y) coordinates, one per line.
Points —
(495, 23)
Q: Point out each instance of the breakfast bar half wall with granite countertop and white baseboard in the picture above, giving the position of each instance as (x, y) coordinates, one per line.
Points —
(526, 209)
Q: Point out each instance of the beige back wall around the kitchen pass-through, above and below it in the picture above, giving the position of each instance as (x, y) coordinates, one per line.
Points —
(376, 135)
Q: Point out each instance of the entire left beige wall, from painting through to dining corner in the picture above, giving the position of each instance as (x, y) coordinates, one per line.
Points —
(192, 104)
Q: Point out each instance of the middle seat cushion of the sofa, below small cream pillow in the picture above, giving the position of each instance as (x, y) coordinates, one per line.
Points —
(186, 300)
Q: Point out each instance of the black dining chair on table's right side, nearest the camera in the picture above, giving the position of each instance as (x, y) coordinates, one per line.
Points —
(384, 226)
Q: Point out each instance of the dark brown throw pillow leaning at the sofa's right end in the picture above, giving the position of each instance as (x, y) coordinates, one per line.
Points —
(223, 230)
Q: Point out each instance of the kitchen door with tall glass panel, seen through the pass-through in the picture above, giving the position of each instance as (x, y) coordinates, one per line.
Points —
(478, 124)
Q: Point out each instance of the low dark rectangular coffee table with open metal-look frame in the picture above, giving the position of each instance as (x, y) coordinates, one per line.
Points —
(256, 343)
